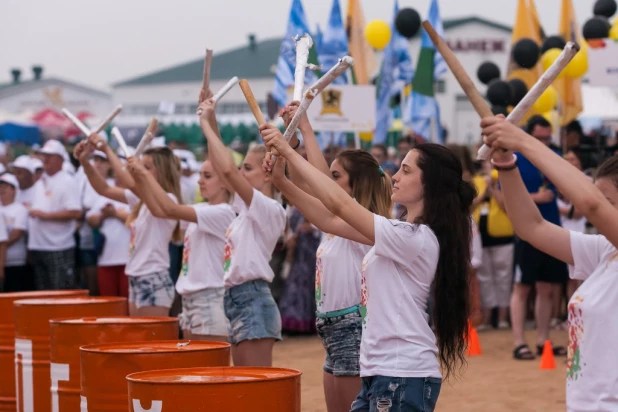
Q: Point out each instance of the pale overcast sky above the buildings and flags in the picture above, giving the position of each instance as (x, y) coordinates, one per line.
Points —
(99, 42)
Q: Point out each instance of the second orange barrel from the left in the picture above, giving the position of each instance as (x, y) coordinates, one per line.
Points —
(32, 364)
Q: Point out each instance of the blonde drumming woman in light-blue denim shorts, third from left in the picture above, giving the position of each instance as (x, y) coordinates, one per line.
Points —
(255, 321)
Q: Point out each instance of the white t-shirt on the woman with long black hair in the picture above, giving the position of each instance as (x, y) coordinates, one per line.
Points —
(397, 274)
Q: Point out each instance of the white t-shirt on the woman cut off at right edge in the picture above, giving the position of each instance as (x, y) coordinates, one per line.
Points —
(592, 363)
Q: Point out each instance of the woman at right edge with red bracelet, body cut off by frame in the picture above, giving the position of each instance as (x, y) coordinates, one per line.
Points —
(592, 364)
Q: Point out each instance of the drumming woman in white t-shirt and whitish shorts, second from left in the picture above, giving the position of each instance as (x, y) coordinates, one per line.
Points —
(200, 282)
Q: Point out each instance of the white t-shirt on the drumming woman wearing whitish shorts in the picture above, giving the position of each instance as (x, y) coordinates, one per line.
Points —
(202, 256)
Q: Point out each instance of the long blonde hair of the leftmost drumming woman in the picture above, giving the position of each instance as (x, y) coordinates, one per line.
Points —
(168, 176)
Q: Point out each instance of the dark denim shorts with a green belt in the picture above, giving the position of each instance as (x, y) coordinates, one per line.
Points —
(341, 337)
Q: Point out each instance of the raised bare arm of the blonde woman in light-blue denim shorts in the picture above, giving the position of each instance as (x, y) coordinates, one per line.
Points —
(219, 155)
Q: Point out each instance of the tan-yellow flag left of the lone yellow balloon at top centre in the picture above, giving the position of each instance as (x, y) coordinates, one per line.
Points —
(360, 50)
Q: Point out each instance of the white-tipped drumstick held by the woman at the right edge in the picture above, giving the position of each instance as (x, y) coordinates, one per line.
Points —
(569, 51)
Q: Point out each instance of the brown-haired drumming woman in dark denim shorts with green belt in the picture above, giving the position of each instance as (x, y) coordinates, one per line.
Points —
(339, 260)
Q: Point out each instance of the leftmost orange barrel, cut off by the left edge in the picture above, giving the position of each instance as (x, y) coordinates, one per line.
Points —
(7, 340)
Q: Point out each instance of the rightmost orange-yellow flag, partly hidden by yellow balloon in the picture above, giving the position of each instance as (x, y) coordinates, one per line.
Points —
(569, 90)
